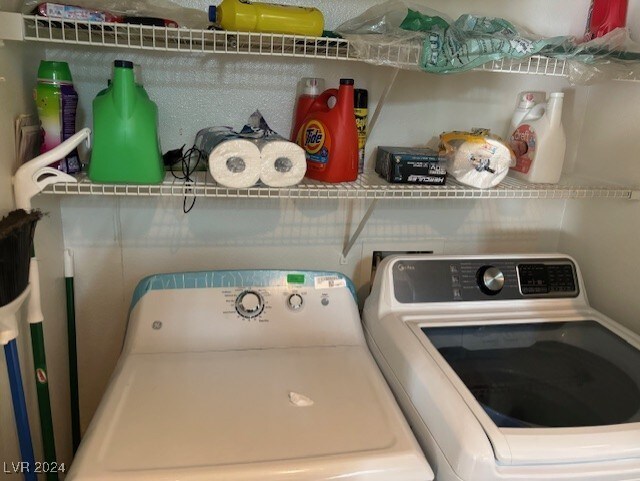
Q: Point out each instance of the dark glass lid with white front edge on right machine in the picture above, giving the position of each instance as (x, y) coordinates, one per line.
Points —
(547, 392)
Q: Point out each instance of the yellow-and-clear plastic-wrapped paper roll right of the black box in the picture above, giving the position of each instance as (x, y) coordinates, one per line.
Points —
(477, 158)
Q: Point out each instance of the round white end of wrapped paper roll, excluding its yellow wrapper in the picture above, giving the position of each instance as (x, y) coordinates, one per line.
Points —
(480, 164)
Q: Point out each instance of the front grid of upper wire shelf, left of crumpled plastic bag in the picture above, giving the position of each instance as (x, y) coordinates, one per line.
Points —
(145, 37)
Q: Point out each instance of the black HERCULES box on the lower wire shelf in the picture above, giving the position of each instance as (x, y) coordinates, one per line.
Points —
(410, 165)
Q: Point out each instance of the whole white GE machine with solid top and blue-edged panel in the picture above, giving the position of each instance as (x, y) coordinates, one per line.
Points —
(247, 375)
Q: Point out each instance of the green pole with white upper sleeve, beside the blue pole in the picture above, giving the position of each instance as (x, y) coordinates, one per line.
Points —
(35, 318)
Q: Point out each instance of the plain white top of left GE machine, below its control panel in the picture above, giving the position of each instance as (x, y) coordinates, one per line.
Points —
(311, 413)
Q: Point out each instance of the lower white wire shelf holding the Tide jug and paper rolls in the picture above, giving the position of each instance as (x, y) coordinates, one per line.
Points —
(367, 186)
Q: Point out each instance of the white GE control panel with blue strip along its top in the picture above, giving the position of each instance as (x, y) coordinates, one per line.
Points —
(234, 310)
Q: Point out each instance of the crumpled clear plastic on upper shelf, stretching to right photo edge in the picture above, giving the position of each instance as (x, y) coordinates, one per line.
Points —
(408, 35)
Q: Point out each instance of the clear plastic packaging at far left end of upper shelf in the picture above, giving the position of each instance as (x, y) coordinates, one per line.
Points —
(164, 9)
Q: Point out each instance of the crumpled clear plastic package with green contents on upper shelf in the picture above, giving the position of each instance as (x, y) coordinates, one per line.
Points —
(411, 35)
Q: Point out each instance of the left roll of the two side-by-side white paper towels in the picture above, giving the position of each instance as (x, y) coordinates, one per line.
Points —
(235, 163)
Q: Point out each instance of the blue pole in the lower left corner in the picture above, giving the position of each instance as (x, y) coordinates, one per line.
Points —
(20, 410)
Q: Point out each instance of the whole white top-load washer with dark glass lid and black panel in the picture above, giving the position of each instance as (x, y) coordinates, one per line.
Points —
(503, 369)
